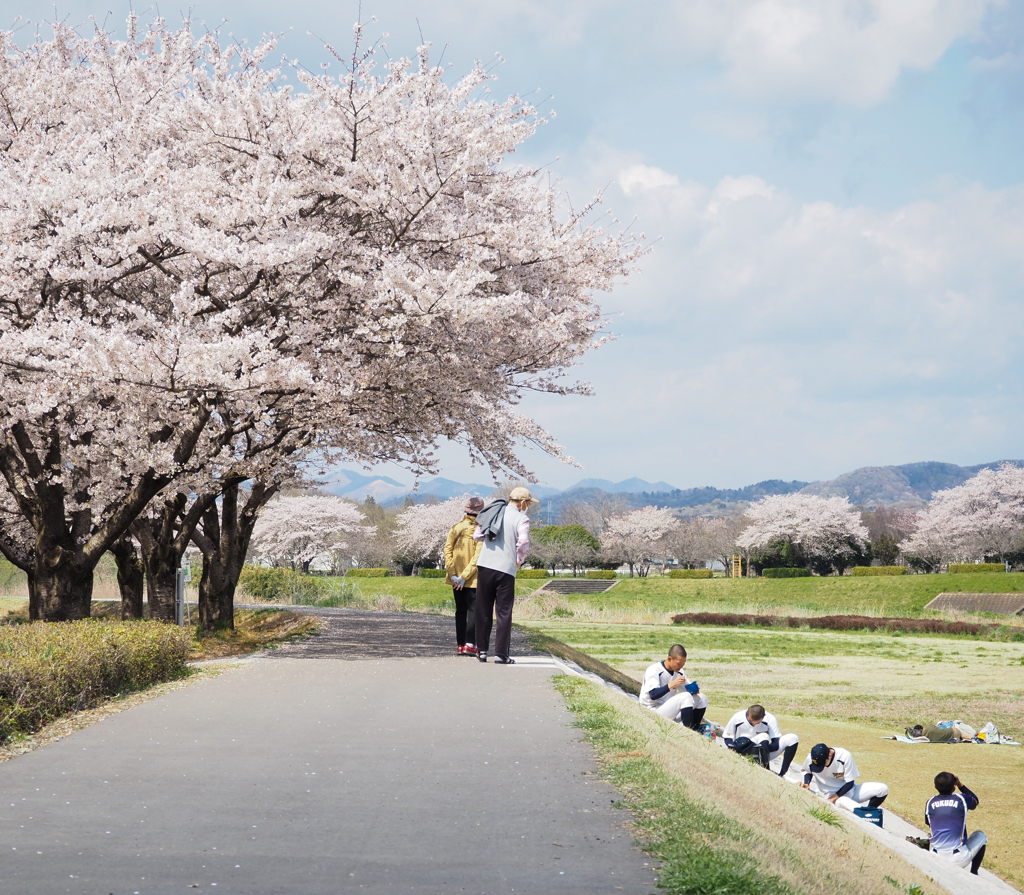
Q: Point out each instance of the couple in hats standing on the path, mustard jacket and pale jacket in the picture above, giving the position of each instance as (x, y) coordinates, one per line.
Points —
(483, 555)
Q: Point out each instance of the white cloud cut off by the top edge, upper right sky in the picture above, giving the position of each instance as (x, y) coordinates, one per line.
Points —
(850, 52)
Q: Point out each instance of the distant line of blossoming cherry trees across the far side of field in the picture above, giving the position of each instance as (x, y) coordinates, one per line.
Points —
(982, 520)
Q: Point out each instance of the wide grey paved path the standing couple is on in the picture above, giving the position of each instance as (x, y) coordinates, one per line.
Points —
(305, 773)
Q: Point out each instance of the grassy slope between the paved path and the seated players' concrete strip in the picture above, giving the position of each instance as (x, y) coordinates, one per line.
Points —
(718, 824)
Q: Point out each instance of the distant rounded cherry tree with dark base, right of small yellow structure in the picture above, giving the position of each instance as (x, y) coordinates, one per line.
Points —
(828, 532)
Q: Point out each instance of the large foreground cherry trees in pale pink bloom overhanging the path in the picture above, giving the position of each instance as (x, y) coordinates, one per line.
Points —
(211, 282)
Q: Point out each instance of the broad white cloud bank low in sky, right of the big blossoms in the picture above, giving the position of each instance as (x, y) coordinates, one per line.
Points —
(772, 337)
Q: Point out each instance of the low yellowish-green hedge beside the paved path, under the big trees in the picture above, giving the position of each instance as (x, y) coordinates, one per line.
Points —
(50, 670)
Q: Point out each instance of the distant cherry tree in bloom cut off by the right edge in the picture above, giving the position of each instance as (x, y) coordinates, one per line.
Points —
(984, 518)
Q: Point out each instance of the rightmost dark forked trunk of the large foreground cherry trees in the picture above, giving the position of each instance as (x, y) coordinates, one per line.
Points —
(224, 537)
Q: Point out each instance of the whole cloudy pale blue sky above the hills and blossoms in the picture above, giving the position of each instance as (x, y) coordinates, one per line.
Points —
(839, 191)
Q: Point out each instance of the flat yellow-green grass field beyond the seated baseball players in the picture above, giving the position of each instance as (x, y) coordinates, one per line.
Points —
(850, 690)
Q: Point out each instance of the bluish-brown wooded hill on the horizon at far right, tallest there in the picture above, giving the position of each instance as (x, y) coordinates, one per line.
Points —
(910, 486)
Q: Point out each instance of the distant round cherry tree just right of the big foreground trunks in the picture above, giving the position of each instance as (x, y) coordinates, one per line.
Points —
(296, 530)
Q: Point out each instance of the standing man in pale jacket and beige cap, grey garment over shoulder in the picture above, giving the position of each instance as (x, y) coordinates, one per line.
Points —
(496, 571)
